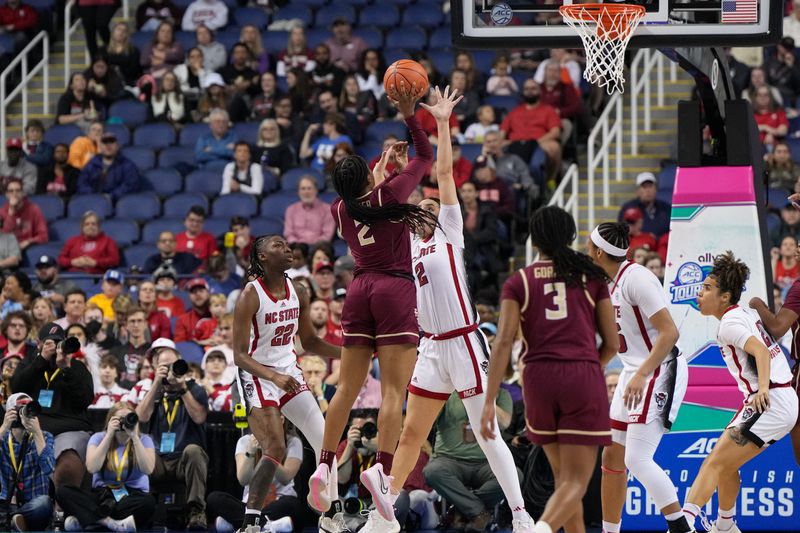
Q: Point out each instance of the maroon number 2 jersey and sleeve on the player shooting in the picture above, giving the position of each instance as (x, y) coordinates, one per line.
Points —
(386, 246)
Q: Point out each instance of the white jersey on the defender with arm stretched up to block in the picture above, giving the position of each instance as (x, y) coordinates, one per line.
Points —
(443, 301)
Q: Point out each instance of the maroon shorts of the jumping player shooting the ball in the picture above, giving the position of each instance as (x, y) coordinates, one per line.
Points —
(379, 310)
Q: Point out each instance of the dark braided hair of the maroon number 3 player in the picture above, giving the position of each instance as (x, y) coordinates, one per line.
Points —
(552, 232)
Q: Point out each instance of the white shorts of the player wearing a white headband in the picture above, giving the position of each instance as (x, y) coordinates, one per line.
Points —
(664, 392)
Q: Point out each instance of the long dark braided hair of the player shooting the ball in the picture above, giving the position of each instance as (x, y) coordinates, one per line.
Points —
(350, 176)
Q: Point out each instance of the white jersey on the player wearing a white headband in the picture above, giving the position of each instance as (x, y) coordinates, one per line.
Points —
(636, 295)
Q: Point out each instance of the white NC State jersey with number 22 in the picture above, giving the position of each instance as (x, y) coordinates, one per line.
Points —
(274, 326)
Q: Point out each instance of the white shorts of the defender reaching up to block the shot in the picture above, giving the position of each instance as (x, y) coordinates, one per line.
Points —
(460, 364)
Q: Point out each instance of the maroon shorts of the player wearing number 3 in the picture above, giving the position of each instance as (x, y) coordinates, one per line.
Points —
(566, 402)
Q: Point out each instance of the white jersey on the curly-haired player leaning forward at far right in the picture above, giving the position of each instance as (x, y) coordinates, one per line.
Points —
(735, 328)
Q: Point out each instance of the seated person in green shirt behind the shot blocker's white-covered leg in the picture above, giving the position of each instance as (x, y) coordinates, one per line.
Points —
(459, 470)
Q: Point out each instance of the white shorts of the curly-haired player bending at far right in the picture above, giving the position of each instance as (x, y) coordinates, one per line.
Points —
(763, 429)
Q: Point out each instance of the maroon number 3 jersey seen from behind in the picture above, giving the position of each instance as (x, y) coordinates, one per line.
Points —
(558, 321)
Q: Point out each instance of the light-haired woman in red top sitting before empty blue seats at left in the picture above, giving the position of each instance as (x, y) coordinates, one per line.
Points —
(91, 252)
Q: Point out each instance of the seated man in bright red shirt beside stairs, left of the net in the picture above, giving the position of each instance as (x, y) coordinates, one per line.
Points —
(534, 124)
